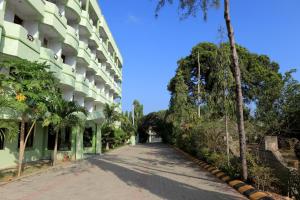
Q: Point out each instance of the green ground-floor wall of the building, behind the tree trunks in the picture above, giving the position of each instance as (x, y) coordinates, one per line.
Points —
(9, 156)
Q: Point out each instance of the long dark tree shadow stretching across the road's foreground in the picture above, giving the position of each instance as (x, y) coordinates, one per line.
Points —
(160, 186)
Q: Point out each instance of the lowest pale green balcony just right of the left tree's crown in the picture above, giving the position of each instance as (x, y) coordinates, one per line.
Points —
(67, 77)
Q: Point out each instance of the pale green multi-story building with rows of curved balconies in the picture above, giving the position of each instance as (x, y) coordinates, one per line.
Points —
(73, 37)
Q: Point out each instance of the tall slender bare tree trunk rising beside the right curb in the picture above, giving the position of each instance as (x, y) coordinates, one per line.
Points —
(239, 95)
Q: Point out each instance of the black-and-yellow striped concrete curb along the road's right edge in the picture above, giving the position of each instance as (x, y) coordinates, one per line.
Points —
(243, 188)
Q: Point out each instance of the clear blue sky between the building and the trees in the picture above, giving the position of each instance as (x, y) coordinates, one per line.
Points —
(151, 47)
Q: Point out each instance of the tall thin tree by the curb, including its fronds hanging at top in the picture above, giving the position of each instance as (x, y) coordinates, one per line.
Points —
(191, 8)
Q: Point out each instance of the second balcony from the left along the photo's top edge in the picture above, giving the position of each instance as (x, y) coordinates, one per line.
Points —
(54, 24)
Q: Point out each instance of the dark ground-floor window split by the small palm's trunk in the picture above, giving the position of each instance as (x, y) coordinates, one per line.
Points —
(64, 139)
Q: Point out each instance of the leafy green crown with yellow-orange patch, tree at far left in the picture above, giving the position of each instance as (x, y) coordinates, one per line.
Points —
(26, 88)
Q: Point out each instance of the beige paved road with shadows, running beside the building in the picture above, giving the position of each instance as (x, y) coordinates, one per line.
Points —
(147, 172)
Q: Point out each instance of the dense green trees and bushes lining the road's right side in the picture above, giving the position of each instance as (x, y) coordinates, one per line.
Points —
(270, 108)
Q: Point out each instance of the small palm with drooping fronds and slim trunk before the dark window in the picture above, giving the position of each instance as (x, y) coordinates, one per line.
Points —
(63, 114)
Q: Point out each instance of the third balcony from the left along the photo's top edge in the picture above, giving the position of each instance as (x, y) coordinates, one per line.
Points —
(73, 11)
